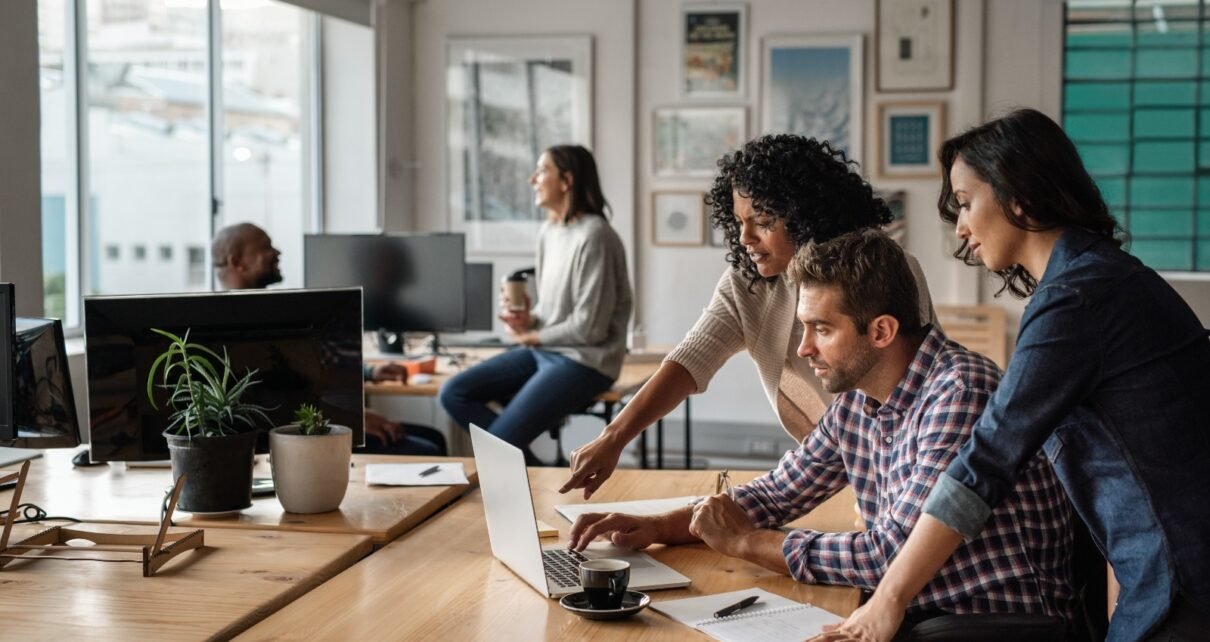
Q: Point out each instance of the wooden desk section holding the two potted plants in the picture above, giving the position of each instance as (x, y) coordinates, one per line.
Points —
(117, 495)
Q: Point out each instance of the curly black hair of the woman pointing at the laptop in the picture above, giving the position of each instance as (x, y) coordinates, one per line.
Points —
(815, 188)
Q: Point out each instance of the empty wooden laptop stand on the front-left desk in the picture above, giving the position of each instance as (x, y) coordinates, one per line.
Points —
(148, 550)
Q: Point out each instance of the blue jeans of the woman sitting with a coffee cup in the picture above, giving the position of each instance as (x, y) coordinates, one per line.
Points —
(540, 389)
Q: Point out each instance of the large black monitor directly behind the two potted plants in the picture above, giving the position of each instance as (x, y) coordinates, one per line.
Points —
(306, 346)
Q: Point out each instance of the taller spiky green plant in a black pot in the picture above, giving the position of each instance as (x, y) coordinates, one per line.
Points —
(211, 433)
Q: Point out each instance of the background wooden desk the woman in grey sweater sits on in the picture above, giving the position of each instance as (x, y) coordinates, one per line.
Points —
(637, 369)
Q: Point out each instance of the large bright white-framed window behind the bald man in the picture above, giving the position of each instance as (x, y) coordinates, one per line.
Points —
(135, 125)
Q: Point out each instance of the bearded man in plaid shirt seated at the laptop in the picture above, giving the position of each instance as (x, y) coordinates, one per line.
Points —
(907, 401)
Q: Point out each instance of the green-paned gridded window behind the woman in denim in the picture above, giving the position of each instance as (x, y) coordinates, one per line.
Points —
(1137, 103)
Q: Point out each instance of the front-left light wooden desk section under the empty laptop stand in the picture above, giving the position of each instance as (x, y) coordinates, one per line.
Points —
(234, 582)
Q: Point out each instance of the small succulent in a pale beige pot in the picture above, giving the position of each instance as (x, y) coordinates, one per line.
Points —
(310, 461)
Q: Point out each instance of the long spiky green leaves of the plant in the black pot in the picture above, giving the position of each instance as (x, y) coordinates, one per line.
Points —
(205, 397)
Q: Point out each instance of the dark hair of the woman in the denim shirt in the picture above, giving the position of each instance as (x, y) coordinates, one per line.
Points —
(1030, 164)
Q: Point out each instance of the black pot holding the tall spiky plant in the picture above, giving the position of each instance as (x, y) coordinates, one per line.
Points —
(218, 469)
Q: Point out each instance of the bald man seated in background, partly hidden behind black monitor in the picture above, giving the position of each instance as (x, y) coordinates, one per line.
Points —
(245, 259)
